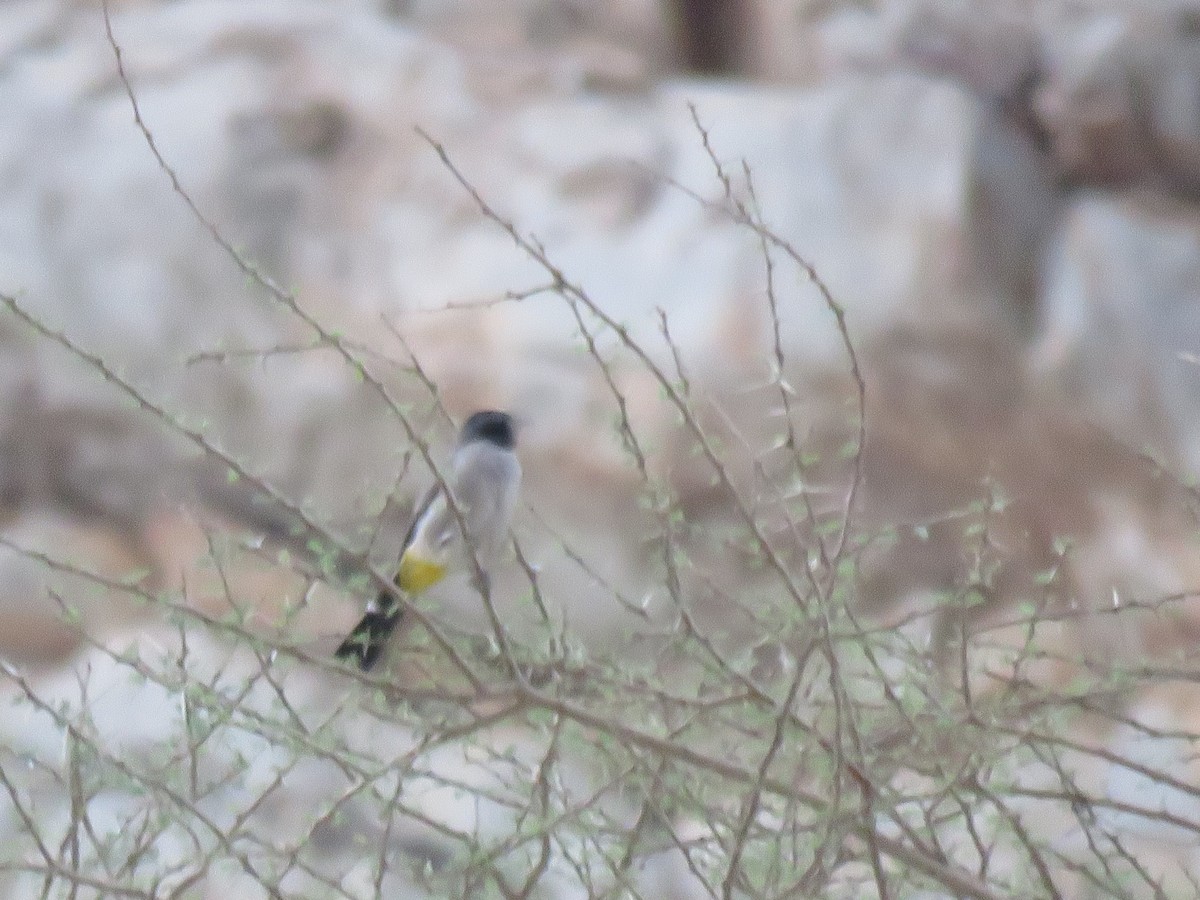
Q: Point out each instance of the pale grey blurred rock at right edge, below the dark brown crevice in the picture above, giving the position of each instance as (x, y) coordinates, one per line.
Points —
(1121, 321)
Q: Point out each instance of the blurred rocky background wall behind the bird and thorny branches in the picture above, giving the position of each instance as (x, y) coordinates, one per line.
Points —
(1004, 197)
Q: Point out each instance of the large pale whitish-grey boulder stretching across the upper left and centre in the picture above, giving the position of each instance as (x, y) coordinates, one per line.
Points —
(325, 183)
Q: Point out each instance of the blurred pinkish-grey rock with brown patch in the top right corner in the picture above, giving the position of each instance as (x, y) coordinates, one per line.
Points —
(1107, 89)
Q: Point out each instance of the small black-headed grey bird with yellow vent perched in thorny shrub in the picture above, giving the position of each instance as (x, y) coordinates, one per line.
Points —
(484, 481)
